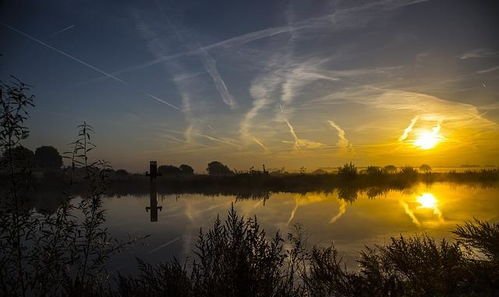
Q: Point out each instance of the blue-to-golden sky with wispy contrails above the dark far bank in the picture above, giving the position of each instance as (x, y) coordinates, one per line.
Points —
(288, 84)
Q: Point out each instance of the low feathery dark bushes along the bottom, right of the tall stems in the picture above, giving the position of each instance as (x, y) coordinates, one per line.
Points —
(236, 258)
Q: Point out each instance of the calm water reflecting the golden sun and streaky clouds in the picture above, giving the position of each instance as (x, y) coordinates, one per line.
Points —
(434, 209)
